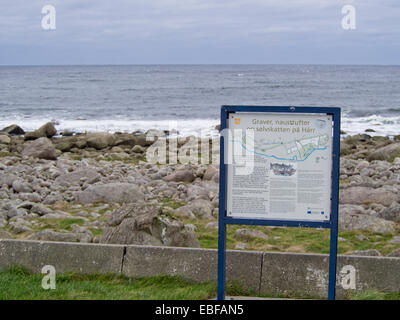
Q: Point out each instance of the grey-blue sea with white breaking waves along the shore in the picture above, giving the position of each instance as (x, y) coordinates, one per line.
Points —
(127, 98)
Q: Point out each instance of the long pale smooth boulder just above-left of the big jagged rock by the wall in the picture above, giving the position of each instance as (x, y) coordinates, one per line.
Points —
(110, 192)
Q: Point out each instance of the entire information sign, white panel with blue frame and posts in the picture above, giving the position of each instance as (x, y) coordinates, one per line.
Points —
(279, 166)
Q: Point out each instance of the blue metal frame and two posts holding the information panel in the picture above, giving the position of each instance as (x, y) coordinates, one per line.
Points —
(332, 224)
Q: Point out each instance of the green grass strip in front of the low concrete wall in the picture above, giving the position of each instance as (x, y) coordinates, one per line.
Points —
(19, 284)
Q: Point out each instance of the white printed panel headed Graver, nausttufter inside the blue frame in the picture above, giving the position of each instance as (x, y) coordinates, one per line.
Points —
(279, 166)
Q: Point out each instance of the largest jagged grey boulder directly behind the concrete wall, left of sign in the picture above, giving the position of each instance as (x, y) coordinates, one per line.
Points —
(147, 225)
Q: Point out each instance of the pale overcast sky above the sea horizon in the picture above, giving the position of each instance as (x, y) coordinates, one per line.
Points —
(199, 31)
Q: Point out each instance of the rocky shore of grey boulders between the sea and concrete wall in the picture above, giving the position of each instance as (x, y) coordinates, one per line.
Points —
(98, 187)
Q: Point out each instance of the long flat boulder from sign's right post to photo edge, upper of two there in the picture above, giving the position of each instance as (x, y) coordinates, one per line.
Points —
(365, 195)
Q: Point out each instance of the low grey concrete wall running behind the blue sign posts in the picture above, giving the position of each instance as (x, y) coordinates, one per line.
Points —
(263, 272)
